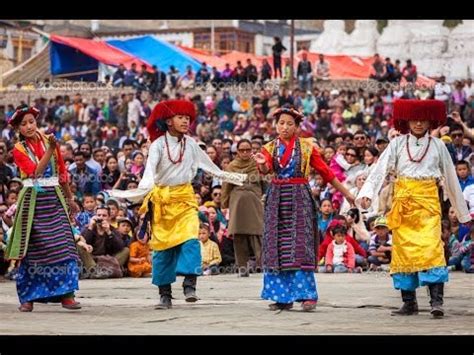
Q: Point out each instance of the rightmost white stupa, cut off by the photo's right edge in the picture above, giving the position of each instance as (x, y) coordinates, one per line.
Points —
(459, 59)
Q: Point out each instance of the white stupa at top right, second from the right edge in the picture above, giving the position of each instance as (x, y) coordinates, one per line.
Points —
(429, 43)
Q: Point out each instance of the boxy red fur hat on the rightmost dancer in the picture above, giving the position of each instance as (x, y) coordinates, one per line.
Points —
(410, 110)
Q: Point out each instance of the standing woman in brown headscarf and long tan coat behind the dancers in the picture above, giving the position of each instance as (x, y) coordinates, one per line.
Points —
(245, 208)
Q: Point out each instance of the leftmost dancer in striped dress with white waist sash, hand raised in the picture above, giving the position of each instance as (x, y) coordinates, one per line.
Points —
(41, 235)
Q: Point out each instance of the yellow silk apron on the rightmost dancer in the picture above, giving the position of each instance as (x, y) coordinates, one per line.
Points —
(415, 221)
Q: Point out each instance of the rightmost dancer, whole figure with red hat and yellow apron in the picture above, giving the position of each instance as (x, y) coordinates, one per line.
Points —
(421, 162)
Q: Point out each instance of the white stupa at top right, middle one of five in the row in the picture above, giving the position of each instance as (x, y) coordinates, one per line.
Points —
(394, 42)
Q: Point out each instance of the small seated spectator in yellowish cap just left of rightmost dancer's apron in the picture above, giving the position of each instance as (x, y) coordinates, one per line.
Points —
(380, 247)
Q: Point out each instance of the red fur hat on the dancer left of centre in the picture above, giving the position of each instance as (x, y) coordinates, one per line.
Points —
(165, 110)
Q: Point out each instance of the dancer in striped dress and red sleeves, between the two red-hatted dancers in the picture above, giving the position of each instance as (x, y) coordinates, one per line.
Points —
(289, 235)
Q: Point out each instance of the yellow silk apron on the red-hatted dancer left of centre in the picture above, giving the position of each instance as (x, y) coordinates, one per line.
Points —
(175, 215)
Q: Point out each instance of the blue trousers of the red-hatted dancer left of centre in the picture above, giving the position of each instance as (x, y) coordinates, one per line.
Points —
(183, 259)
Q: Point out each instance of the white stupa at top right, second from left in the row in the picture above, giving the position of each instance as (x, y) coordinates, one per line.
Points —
(362, 40)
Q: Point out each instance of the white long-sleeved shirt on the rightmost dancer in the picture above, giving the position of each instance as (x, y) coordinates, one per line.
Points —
(436, 164)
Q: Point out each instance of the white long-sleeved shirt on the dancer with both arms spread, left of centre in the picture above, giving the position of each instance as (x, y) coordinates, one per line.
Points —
(159, 170)
